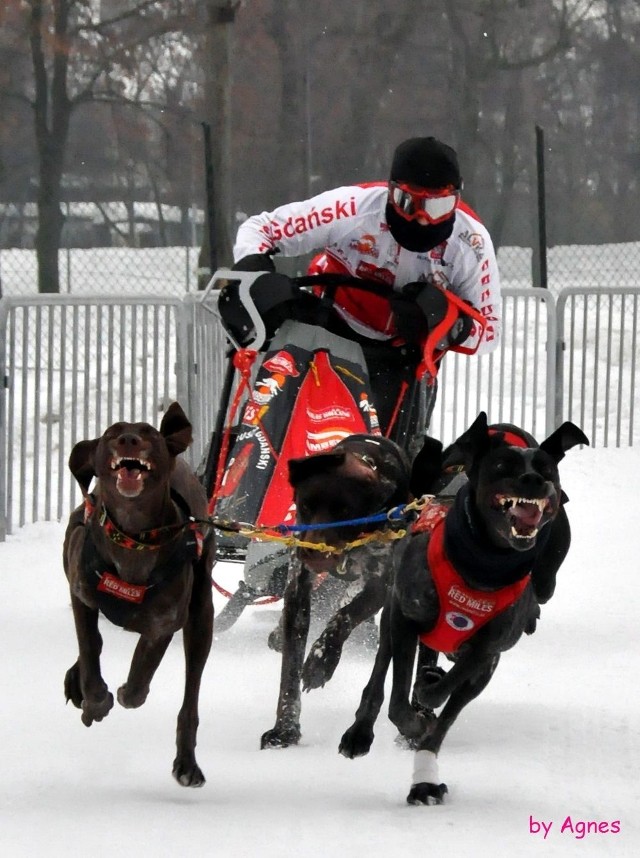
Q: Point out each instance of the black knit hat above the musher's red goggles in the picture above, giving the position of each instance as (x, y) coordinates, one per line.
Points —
(427, 163)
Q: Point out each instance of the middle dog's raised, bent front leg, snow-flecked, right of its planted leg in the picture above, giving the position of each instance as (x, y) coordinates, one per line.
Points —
(325, 653)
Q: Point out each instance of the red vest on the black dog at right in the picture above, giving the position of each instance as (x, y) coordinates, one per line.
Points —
(463, 610)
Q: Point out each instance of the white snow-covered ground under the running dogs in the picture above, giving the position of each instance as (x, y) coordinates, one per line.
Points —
(553, 739)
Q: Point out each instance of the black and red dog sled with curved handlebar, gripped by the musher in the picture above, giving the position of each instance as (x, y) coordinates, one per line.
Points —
(297, 382)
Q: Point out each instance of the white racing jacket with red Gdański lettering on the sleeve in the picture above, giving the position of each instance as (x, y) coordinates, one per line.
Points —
(349, 224)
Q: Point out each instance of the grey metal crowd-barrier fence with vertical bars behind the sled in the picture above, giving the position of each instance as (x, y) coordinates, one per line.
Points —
(72, 365)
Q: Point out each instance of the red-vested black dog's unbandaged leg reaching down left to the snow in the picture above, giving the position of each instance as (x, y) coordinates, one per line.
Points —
(357, 740)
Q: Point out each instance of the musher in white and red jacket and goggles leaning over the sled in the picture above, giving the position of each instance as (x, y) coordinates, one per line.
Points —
(409, 234)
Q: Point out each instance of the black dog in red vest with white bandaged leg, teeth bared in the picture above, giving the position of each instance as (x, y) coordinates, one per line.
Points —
(467, 588)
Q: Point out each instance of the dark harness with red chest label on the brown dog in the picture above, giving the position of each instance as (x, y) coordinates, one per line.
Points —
(116, 598)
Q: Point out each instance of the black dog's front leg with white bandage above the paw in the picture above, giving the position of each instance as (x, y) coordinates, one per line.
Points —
(425, 788)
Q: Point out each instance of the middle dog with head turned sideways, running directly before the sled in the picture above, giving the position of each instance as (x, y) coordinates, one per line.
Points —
(359, 477)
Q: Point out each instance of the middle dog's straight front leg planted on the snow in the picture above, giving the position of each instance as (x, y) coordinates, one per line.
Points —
(296, 611)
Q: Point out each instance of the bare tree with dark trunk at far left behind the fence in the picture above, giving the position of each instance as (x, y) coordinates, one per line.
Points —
(80, 53)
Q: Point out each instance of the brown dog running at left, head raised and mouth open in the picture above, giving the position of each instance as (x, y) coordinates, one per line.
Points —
(132, 552)
